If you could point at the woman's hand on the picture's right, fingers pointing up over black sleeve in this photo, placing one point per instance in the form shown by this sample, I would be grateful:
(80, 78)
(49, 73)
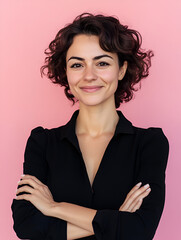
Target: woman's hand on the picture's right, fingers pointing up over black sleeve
(135, 198)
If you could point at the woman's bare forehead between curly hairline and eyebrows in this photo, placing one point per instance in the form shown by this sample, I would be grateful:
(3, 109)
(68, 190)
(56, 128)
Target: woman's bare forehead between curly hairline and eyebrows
(86, 46)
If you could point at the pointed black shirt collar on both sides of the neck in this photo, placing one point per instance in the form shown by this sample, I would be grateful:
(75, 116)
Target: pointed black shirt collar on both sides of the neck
(123, 126)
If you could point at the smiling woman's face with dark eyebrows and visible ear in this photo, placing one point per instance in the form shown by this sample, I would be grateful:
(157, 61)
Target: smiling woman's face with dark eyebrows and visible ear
(92, 73)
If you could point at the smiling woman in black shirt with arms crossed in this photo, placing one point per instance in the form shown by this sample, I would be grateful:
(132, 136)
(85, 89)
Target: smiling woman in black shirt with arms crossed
(98, 176)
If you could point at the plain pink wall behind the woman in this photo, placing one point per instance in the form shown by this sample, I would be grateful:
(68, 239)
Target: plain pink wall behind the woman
(27, 100)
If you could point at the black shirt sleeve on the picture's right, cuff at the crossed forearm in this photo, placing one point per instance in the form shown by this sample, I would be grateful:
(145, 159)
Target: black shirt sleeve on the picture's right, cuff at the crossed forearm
(140, 225)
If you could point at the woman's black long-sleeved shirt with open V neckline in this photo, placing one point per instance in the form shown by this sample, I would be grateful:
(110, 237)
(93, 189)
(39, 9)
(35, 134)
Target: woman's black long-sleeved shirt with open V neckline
(133, 155)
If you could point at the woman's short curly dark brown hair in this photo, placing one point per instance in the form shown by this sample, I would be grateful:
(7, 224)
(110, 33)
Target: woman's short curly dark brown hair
(113, 37)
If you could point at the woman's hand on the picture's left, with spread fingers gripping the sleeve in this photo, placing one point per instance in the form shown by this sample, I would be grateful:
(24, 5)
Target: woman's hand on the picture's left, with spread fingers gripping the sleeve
(38, 194)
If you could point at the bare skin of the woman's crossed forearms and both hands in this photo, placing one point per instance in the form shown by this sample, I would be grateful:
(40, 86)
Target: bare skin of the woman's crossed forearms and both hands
(79, 219)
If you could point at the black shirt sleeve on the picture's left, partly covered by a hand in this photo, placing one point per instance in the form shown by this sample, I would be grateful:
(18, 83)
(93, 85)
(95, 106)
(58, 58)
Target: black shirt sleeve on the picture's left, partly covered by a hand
(29, 222)
